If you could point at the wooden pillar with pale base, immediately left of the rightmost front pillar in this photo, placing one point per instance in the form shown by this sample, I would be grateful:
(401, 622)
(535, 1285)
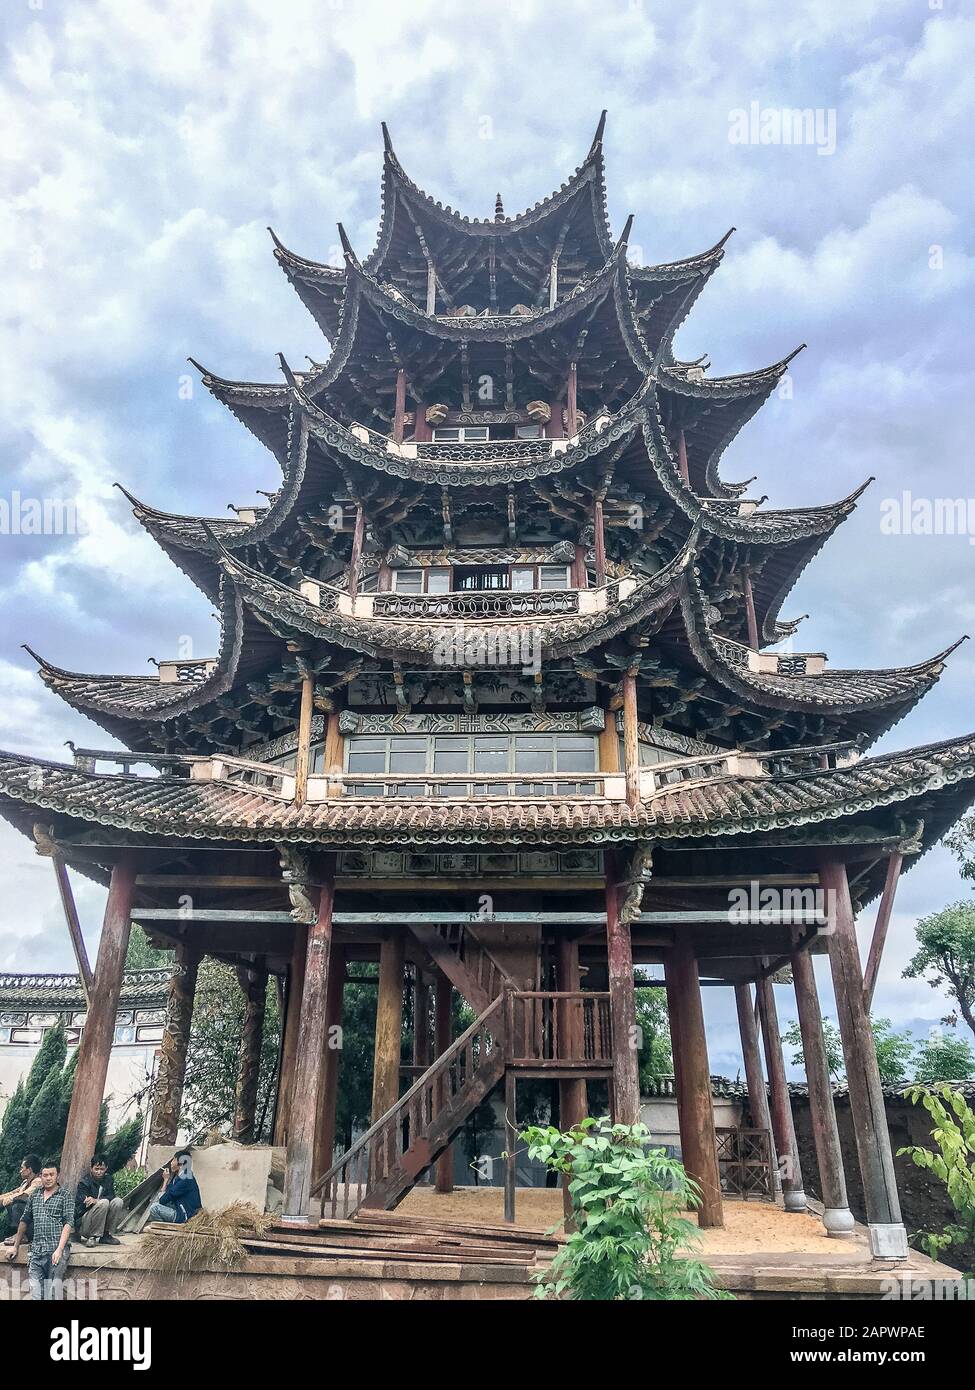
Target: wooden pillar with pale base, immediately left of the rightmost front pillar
(838, 1218)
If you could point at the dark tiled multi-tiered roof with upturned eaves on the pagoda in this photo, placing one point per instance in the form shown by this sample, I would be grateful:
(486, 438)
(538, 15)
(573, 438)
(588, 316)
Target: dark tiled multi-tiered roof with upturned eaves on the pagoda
(684, 584)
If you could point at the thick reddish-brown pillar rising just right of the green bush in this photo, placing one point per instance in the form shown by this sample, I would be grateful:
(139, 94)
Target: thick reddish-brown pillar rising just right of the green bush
(693, 1082)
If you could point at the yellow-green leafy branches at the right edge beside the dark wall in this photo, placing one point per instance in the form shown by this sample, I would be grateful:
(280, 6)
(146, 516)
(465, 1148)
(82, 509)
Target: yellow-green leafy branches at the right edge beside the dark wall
(953, 1163)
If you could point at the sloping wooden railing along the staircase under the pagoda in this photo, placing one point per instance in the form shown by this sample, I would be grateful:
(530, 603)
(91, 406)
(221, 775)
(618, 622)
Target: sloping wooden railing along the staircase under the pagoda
(389, 1159)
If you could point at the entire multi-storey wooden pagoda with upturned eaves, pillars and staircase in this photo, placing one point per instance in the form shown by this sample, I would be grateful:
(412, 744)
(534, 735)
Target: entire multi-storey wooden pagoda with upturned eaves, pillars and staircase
(503, 700)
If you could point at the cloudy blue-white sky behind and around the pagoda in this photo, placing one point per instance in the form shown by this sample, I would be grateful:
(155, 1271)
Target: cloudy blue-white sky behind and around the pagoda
(151, 142)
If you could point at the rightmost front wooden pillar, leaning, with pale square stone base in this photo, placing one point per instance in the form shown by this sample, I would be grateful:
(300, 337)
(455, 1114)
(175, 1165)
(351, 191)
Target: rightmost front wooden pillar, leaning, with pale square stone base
(870, 1120)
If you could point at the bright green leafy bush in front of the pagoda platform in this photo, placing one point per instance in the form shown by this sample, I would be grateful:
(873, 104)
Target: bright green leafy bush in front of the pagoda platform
(631, 1239)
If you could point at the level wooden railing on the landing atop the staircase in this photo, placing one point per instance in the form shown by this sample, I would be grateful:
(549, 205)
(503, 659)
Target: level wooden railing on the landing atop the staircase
(556, 1031)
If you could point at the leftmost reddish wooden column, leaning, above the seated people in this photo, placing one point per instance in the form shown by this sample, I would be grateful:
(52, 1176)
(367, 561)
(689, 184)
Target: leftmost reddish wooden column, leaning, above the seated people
(99, 1031)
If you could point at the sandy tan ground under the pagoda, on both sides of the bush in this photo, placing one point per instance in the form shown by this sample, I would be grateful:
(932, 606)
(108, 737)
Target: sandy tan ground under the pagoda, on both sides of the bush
(750, 1228)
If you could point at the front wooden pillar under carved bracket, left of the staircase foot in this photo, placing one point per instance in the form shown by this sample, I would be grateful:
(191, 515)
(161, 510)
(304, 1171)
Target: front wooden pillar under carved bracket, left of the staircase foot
(308, 1065)
